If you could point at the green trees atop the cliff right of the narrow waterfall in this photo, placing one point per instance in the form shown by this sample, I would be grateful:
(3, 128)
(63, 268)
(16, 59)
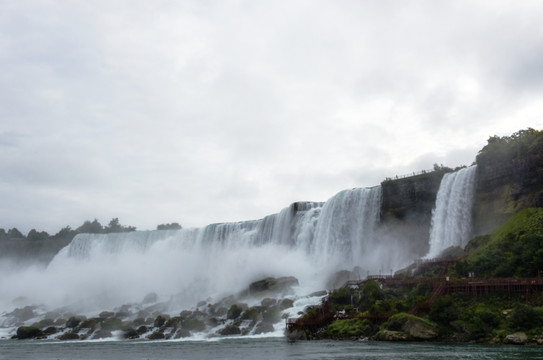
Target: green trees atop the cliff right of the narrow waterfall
(505, 148)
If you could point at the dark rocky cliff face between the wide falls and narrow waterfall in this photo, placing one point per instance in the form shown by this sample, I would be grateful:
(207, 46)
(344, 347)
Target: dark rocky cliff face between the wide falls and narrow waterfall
(406, 208)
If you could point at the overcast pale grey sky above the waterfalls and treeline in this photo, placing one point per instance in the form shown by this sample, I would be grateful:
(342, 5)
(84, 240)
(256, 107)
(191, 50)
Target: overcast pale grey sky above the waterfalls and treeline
(211, 111)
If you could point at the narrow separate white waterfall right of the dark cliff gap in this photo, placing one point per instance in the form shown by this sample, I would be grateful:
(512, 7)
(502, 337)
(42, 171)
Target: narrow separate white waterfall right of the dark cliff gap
(451, 217)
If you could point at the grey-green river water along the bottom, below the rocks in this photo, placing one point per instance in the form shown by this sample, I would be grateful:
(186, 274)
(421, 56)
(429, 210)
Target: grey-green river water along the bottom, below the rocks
(260, 348)
